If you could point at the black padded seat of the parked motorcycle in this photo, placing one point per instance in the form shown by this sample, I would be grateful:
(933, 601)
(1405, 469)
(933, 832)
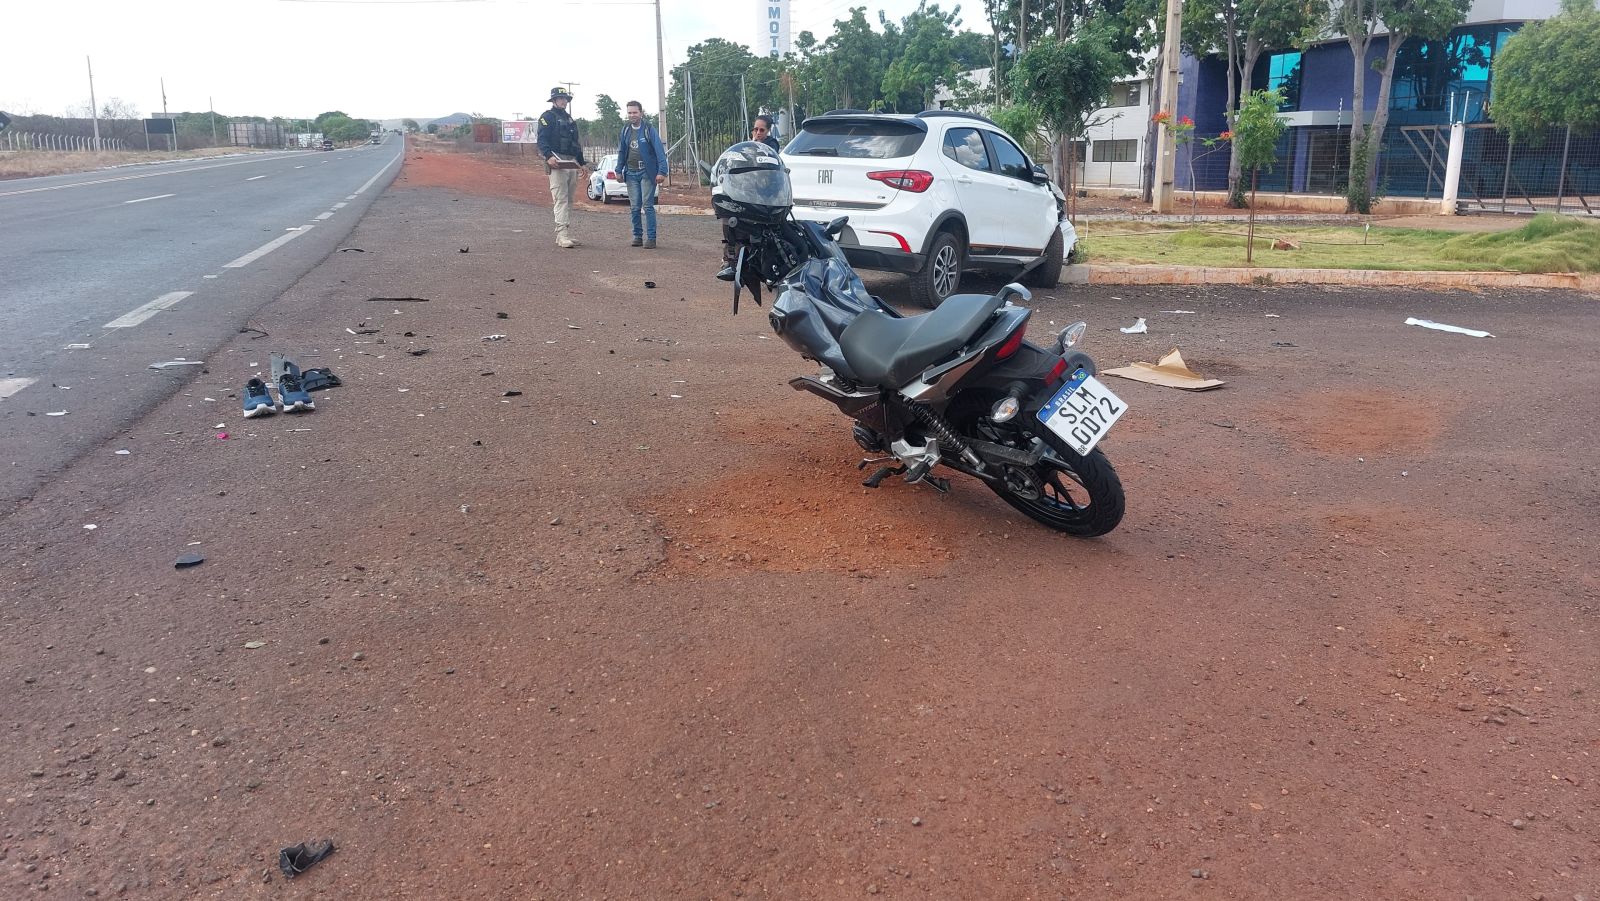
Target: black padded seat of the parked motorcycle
(890, 353)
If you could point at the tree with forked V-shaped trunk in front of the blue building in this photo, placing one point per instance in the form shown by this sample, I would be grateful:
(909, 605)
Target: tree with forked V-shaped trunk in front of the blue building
(1361, 22)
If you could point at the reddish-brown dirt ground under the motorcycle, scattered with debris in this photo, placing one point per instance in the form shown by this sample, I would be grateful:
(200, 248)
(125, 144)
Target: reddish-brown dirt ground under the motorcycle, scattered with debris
(641, 633)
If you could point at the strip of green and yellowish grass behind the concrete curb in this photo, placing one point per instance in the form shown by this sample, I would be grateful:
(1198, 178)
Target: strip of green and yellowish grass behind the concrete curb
(1546, 244)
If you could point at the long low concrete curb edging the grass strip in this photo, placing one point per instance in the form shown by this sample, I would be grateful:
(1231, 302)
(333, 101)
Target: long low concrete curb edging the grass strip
(1130, 274)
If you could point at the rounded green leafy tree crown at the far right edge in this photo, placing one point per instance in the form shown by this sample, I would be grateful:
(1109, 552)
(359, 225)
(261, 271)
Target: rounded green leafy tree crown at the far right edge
(1546, 74)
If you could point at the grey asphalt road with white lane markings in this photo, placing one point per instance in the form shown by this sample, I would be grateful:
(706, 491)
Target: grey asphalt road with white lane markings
(110, 273)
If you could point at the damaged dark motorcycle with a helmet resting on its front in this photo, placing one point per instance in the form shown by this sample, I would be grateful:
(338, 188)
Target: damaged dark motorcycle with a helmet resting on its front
(958, 388)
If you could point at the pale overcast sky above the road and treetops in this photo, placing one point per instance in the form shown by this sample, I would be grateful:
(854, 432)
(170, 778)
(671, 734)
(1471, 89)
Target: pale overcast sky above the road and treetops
(369, 58)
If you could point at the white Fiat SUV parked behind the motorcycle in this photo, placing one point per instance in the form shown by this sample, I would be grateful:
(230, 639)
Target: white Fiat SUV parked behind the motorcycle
(932, 196)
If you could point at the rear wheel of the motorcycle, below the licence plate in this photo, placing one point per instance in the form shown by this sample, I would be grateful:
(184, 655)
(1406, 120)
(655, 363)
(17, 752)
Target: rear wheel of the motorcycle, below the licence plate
(1082, 499)
